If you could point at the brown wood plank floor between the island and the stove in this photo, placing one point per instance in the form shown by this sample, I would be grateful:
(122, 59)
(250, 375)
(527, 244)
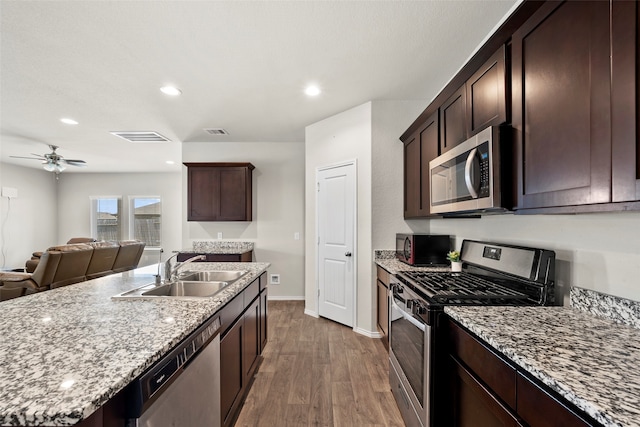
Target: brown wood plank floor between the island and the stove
(318, 373)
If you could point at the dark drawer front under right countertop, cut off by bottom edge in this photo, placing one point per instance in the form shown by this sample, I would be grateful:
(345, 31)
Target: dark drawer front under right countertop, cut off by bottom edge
(540, 409)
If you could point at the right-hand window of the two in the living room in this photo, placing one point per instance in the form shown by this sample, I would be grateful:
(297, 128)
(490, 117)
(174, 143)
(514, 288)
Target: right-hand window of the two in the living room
(145, 215)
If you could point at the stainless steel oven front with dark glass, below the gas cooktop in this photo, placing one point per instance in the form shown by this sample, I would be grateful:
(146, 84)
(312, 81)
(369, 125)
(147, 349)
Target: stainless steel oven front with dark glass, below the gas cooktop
(409, 341)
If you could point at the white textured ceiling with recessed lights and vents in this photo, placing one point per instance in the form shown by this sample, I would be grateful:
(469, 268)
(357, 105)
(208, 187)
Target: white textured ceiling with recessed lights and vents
(241, 66)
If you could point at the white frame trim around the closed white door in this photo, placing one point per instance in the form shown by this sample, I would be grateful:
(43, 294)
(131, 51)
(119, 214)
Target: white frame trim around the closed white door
(354, 164)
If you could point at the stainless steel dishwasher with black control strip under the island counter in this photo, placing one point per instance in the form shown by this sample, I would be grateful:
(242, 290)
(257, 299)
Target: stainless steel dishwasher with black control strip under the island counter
(183, 388)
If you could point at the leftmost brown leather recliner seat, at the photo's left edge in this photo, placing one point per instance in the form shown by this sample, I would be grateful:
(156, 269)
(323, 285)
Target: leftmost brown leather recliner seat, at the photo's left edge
(13, 285)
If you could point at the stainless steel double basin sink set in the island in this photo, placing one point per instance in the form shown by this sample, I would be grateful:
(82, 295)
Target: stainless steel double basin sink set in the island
(190, 284)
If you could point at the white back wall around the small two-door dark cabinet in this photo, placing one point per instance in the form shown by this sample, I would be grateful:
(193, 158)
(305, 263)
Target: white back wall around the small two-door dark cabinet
(278, 207)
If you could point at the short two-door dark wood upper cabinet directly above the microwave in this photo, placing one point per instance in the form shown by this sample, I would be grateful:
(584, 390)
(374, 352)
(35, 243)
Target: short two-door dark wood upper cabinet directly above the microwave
(479, 103)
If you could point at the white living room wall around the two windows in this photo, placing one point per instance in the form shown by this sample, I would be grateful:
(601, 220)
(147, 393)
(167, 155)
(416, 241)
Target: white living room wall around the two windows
(74, 205)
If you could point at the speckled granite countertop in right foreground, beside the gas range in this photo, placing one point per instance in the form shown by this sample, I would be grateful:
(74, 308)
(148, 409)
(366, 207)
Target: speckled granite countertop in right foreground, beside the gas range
(591, 361)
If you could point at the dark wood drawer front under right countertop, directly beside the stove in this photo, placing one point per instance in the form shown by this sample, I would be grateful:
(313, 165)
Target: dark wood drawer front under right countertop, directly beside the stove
(491, 369)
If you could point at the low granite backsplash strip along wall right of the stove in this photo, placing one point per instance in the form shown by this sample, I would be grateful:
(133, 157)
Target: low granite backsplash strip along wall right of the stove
(620, 310)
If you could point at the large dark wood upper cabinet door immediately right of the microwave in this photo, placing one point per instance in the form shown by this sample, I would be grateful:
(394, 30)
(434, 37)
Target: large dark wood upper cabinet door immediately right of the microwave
(561, 105)
